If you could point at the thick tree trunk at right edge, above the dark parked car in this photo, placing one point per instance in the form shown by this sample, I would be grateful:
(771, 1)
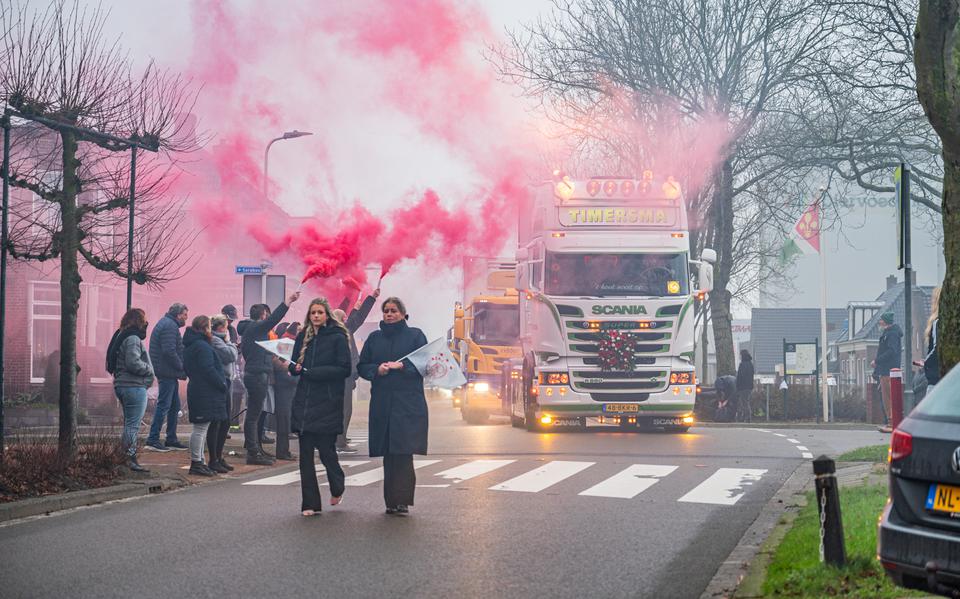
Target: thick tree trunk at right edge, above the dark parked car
(937, 60)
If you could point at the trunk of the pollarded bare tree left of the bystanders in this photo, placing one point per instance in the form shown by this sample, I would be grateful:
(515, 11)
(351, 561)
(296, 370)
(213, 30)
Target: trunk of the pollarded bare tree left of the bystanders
(69, 300)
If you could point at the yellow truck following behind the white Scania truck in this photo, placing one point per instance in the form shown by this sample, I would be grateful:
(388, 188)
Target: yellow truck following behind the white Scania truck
(485, 335)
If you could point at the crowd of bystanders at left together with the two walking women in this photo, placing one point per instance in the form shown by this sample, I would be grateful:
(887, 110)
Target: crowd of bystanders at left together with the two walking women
(312, 393)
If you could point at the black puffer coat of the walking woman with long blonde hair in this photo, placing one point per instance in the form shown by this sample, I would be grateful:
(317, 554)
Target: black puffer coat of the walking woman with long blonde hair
(318, 402)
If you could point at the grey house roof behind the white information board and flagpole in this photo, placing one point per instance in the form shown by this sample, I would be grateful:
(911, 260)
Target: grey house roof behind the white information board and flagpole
(770, 326)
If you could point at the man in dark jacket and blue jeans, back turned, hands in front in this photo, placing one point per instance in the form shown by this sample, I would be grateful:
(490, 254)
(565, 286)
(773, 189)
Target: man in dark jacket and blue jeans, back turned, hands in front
(166, 353)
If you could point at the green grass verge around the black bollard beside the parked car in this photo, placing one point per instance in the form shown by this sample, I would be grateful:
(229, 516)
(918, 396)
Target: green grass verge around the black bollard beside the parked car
(796, 571)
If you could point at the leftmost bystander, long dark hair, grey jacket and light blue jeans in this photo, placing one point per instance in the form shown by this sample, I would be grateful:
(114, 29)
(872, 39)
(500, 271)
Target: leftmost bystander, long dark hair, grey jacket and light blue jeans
(129, 363)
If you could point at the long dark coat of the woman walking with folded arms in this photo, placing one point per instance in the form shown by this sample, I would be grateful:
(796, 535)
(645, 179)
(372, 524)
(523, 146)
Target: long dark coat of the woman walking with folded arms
(398, 408)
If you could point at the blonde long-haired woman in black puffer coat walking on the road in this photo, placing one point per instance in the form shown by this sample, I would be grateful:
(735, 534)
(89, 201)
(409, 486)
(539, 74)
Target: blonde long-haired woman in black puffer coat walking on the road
(322, 361)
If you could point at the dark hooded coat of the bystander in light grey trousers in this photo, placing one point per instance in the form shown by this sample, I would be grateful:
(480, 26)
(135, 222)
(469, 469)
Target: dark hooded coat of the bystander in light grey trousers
(206, 383)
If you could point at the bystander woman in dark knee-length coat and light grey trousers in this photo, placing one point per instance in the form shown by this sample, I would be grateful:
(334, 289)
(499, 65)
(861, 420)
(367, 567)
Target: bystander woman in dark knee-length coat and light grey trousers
(206, 388)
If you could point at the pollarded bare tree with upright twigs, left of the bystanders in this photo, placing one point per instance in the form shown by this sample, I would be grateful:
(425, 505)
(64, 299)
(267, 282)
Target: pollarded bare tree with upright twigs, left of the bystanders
(76, 97)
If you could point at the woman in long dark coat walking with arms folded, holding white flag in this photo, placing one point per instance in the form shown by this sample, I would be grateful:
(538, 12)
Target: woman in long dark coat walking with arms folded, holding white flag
(398, 408)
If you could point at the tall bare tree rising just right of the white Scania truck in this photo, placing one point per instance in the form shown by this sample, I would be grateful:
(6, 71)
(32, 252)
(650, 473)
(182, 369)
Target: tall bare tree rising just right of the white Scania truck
(735, 60)
